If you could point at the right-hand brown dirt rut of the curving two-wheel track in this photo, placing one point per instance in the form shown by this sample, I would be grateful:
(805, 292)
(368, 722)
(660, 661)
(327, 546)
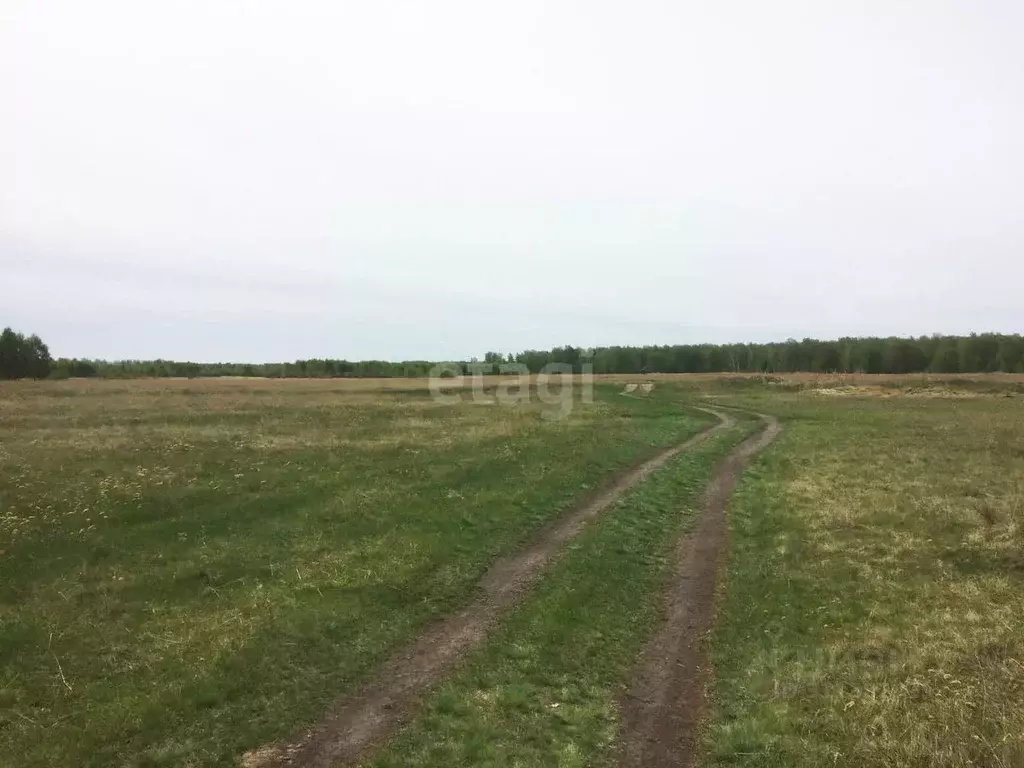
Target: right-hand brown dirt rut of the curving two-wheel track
(663, 711)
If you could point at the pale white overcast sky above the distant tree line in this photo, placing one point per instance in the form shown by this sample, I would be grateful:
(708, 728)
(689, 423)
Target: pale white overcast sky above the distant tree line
(262, 181)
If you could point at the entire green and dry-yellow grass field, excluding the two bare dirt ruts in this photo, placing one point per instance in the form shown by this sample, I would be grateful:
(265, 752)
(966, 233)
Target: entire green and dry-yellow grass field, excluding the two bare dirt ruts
(190, 570)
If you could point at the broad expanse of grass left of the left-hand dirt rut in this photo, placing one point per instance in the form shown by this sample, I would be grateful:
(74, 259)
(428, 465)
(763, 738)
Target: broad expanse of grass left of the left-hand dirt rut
(190, 570)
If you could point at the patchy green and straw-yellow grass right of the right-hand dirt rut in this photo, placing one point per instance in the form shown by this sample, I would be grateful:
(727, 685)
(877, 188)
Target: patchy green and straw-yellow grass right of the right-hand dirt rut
(875, 608)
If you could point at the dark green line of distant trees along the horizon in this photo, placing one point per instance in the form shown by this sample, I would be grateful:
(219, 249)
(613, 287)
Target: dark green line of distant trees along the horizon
(28, 357)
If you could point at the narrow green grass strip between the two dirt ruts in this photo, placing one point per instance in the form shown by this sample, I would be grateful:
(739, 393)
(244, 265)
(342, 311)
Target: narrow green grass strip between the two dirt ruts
(543, 690)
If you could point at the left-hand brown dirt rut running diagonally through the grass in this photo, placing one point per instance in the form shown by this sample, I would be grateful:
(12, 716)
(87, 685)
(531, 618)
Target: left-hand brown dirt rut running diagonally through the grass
(363, 720)
